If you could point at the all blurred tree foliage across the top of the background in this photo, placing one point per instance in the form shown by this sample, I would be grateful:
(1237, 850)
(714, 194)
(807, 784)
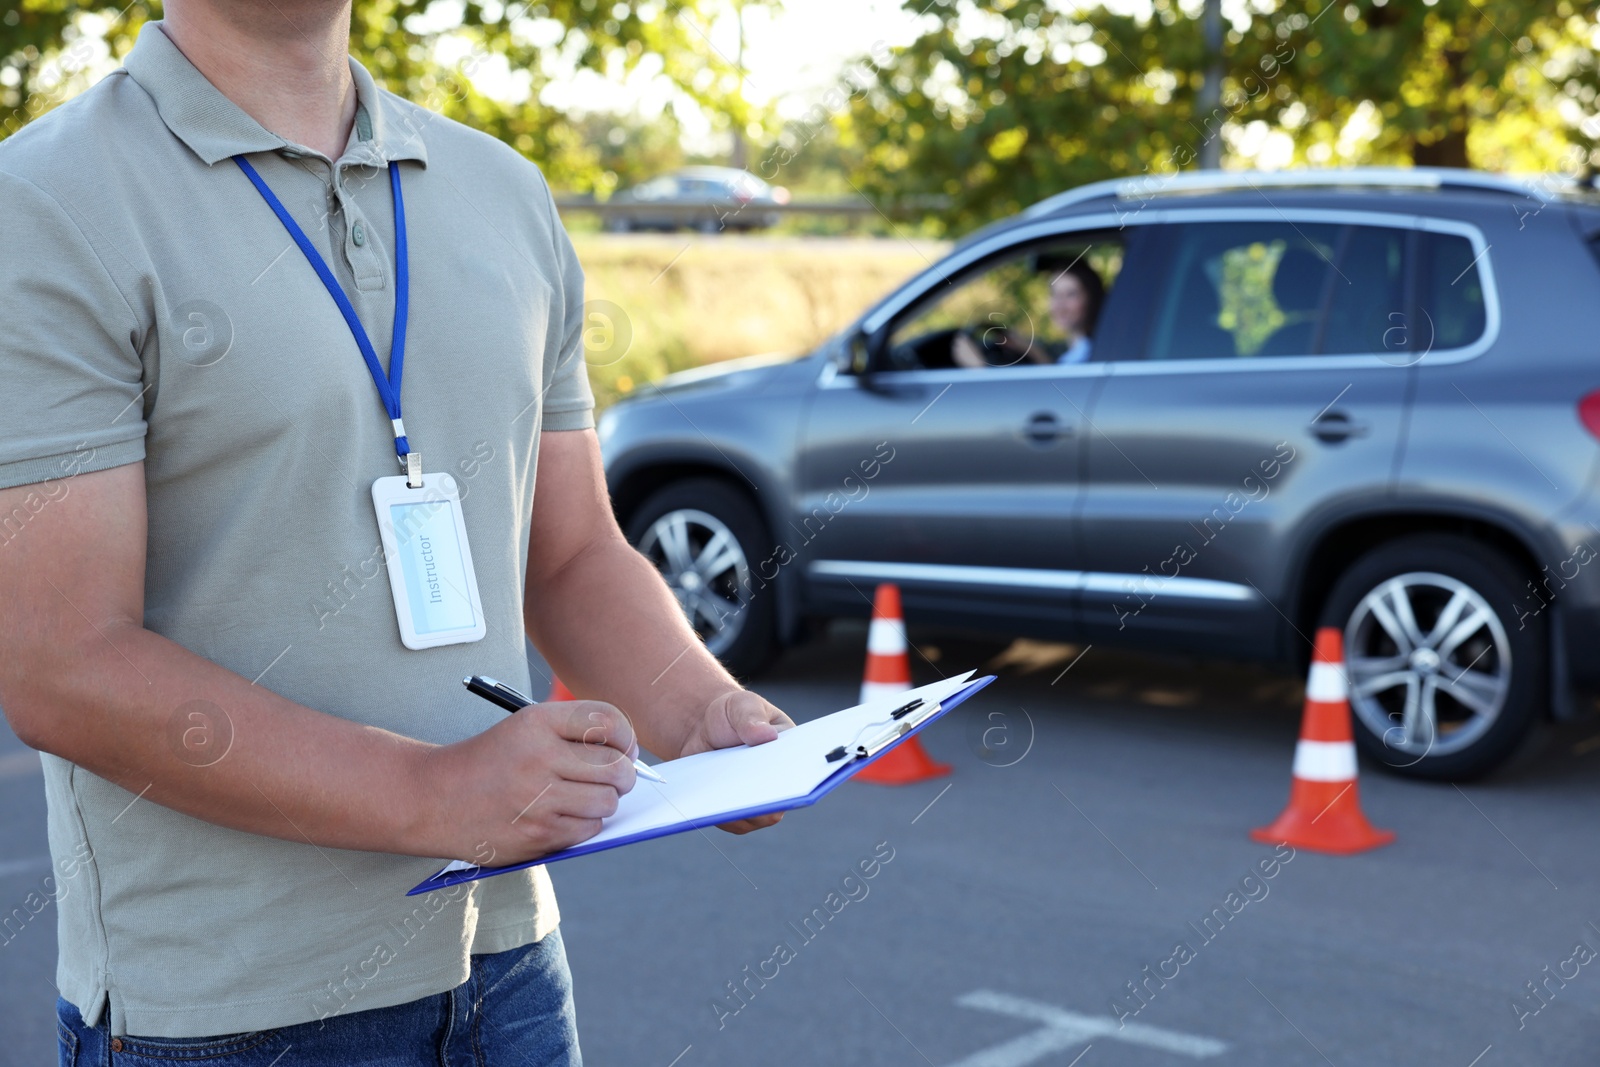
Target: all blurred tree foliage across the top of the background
(994, 106)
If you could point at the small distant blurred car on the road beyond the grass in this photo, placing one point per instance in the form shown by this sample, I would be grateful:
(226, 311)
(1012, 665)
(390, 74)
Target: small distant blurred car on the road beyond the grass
(705, 199)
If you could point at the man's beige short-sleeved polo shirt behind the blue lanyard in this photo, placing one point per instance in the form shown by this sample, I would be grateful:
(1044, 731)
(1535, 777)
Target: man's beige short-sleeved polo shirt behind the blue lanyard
(153, 308)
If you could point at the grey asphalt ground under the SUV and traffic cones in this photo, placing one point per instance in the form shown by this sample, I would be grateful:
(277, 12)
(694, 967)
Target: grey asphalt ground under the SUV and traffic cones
(1098, 829)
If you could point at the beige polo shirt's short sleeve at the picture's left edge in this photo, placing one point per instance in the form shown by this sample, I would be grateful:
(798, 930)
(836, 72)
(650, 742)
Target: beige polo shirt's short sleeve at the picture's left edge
(70, 361)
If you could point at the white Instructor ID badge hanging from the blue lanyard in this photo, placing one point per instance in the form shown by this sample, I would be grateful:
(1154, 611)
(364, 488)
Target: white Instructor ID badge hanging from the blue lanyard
(430, 562)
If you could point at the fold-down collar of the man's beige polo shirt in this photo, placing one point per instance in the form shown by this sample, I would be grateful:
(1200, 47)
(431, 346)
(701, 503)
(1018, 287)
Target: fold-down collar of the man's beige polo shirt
(217, 129)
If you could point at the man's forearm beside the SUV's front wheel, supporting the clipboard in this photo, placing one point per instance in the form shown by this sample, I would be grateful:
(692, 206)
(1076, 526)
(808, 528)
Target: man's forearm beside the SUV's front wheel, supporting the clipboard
(614, 633)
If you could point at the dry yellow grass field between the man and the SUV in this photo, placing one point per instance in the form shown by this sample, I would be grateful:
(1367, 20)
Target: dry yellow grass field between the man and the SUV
(660, 303)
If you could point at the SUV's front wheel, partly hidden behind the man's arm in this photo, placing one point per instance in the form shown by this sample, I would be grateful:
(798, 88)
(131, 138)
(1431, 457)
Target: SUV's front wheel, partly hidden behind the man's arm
(706, 538)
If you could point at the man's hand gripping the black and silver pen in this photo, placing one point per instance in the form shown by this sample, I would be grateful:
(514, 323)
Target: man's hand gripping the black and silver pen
(532, 785)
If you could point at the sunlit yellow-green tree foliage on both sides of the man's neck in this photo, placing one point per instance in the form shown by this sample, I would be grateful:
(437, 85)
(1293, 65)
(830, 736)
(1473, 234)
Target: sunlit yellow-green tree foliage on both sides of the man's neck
(46, 49)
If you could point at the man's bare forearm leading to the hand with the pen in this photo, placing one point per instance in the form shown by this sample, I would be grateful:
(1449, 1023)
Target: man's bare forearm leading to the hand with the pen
(182, 732)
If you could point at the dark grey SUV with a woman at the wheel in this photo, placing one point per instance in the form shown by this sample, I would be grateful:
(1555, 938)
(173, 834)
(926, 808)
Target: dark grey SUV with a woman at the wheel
(1359, 399)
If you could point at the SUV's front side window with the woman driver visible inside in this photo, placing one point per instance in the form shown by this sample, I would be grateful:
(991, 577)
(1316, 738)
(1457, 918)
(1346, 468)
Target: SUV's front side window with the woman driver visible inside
(1030, 306)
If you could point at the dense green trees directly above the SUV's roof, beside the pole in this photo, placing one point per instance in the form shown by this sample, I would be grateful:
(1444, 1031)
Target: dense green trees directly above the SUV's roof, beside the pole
(1002, 103)
